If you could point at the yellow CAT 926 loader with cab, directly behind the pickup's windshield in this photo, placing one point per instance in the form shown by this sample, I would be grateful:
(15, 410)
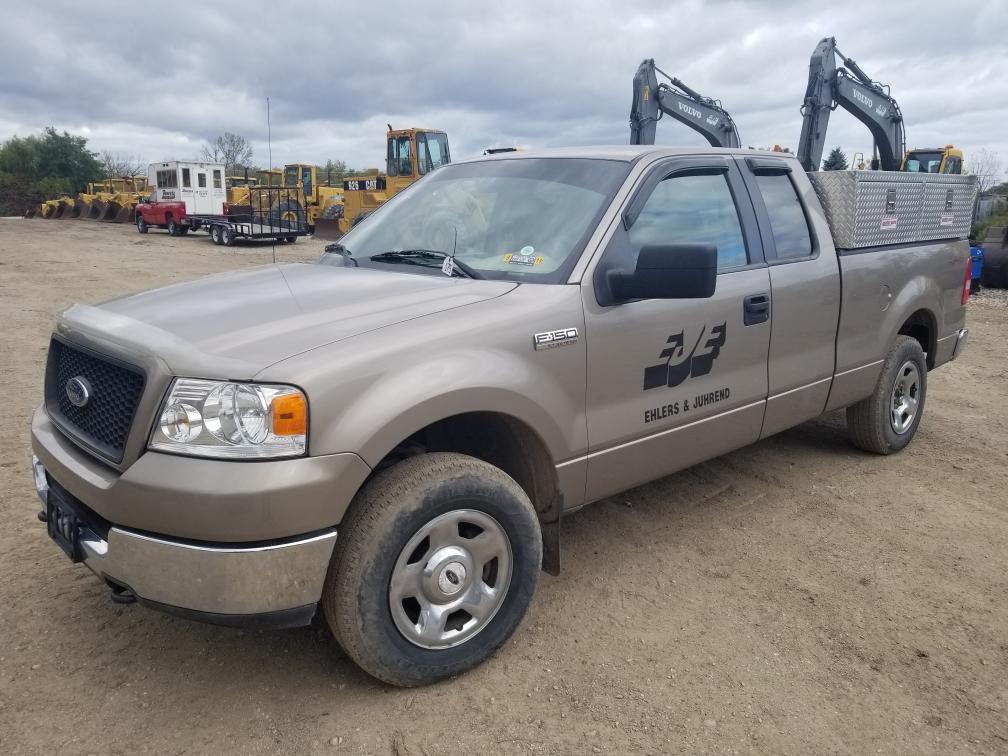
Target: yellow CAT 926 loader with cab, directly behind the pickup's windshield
(411, 155)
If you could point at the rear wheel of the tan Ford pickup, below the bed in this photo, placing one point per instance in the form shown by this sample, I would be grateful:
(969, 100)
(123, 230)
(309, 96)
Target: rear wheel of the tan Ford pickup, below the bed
(884, 423)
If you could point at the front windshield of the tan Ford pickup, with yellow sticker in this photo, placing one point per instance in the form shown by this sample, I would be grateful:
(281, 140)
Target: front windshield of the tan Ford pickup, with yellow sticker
(526, 220)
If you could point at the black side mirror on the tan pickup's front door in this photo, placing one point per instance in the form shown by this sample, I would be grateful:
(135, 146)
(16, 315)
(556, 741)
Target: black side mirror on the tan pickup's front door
(669, 272)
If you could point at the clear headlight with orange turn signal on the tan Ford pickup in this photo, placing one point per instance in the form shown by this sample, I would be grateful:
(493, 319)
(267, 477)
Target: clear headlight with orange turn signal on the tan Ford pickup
(232, 421)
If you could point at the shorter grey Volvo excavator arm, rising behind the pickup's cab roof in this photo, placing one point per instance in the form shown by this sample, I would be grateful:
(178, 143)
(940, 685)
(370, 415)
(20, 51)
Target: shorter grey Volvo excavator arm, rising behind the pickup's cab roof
(652, 100)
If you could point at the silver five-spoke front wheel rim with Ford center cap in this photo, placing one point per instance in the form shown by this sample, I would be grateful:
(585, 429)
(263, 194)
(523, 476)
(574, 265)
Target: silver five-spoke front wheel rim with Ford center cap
(451, 579)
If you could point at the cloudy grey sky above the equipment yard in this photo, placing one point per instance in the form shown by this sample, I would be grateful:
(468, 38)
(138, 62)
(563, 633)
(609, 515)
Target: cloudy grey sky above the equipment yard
(141, 79)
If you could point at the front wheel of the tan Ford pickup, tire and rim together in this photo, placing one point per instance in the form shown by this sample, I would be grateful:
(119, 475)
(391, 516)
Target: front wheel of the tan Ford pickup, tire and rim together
(383, 536)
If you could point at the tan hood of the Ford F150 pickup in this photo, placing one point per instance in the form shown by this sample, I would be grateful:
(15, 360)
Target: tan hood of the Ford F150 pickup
(234, 325)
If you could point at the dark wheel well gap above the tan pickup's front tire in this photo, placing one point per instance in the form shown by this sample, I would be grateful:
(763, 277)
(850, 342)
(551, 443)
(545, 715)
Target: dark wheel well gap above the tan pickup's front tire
(497, 439)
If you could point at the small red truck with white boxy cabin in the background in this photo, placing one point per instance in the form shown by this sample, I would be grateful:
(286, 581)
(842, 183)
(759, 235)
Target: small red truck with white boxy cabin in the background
(182, 190)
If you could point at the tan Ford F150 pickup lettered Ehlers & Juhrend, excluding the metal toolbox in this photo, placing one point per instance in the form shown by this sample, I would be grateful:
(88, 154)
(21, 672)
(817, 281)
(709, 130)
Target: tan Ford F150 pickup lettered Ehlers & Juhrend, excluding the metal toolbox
(392, 436)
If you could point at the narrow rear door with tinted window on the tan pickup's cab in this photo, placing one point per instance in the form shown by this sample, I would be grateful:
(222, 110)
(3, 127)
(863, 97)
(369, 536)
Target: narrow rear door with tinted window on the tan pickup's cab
(805, 281)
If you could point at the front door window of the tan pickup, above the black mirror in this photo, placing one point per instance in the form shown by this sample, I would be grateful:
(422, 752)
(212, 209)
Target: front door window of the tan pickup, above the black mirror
(696, 208)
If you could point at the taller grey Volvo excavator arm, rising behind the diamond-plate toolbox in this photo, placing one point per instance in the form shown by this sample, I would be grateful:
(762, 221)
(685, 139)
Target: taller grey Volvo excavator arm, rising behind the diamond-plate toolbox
(852, 89)
